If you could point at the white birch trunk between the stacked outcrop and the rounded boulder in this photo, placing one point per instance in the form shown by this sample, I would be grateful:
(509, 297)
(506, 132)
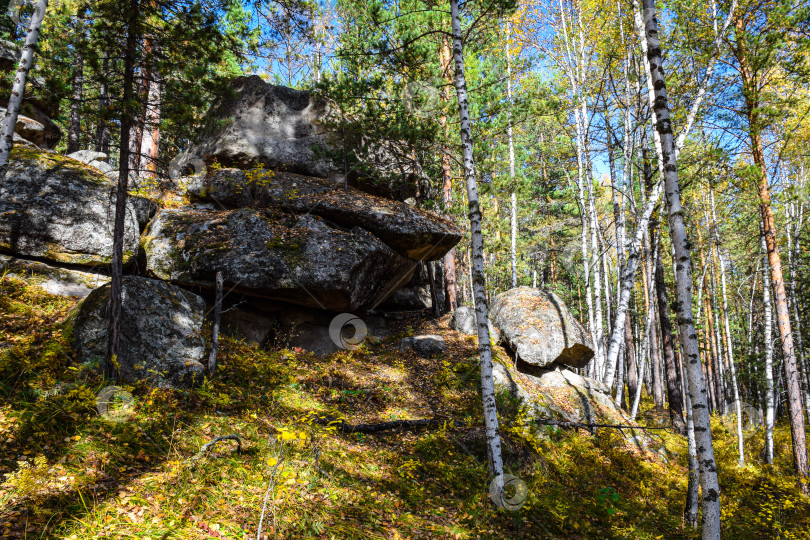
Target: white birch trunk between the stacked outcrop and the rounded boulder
(487, 384)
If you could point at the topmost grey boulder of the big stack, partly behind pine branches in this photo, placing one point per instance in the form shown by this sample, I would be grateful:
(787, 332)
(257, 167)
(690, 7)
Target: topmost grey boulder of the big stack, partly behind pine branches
(258, 124)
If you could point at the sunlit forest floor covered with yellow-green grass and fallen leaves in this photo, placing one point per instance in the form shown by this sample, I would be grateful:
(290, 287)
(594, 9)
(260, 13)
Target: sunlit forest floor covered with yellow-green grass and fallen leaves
(70, 472)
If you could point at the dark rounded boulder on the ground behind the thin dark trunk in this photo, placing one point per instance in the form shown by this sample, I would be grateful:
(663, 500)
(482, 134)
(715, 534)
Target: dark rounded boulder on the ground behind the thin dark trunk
(161, 332)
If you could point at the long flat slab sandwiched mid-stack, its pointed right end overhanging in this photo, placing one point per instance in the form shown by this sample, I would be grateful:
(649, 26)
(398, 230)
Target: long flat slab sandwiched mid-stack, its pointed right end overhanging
(412, 232)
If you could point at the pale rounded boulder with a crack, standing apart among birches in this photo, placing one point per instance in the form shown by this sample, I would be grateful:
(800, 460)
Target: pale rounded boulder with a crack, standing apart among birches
(537, 326)
